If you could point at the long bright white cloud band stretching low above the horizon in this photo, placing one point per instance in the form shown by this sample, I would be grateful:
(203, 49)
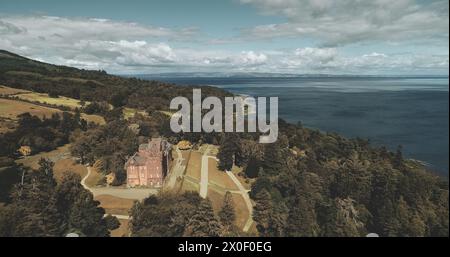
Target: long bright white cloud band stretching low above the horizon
(122, 47)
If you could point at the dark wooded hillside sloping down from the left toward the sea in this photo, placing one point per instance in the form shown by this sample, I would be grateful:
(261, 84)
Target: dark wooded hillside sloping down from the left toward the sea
(87, 85)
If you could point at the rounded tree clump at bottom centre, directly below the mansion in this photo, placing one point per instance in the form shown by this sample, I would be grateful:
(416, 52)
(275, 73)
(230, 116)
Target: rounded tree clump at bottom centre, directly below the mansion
(181, 215)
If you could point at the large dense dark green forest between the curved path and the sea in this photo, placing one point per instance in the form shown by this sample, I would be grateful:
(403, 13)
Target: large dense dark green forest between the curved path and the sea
(332, 186)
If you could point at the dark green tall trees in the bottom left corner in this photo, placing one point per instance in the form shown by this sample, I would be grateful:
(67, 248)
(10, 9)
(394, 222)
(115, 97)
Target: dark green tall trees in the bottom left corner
(39, 207)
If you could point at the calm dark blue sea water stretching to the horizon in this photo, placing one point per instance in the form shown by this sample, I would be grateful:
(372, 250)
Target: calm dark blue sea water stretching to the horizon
(412, 112)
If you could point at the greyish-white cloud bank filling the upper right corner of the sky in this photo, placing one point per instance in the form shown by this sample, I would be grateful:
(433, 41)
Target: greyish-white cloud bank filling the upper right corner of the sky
(350, 21)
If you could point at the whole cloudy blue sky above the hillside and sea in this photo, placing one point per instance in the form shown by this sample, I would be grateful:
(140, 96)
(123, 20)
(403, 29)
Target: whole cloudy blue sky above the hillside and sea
(385, 37)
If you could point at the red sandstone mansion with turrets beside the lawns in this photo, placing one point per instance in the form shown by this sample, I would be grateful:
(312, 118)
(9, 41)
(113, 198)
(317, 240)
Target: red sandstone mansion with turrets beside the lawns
(149, 165)
